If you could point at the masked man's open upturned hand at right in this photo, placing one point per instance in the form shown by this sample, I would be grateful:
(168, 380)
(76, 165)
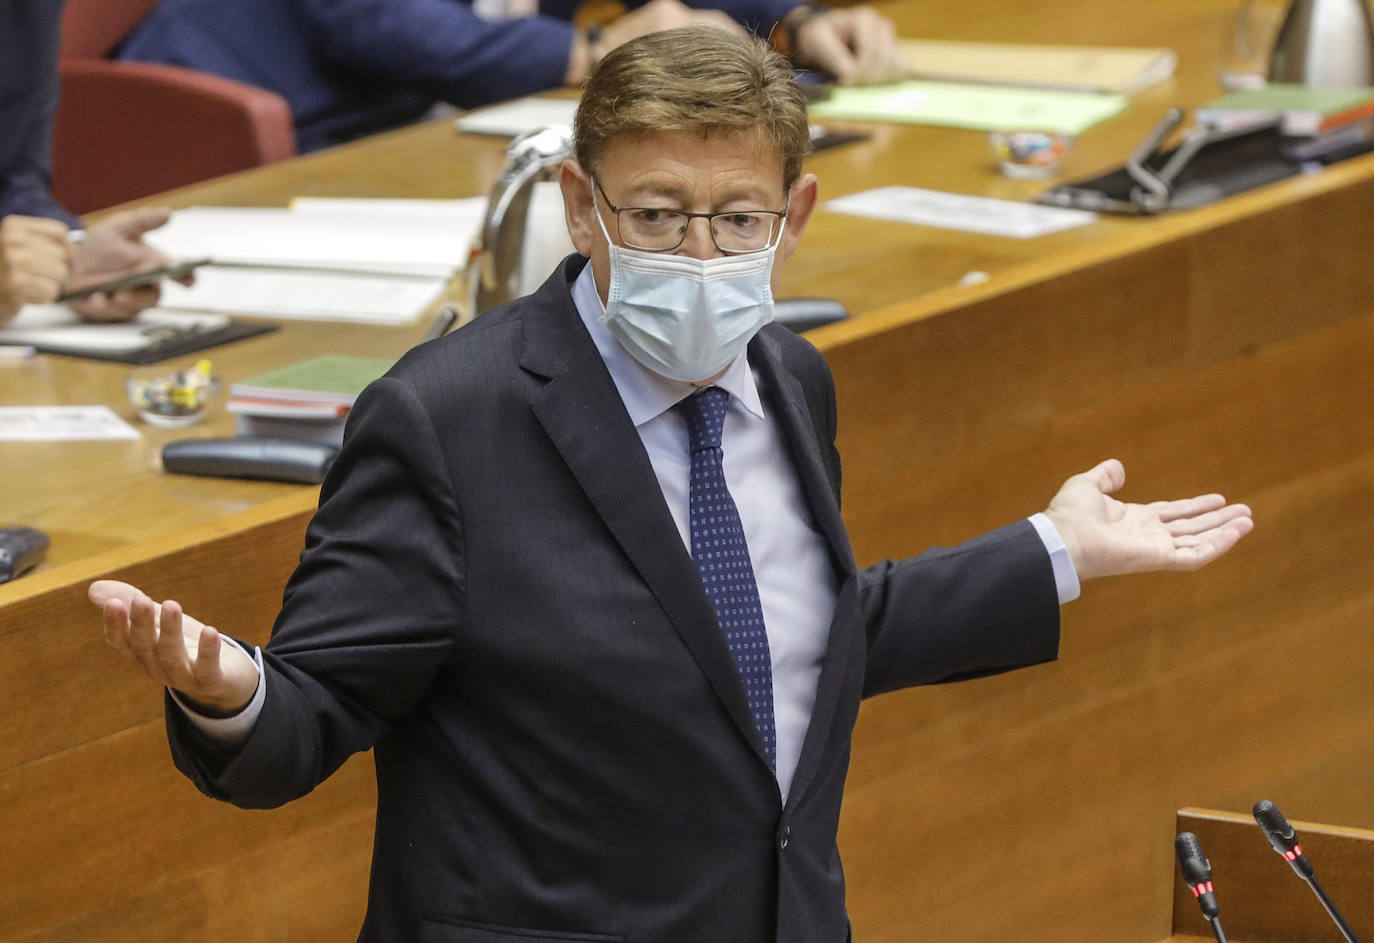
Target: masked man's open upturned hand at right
(1107, 537)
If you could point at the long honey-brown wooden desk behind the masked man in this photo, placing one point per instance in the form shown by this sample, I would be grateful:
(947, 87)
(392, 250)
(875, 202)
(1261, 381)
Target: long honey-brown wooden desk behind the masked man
(1225, 348)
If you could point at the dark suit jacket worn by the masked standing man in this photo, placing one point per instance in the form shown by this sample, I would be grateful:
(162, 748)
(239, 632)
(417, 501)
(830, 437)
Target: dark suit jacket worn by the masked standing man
(495, 599)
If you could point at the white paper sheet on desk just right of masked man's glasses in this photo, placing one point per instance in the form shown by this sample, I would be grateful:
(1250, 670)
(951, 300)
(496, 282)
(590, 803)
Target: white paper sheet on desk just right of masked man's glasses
(1002, 218)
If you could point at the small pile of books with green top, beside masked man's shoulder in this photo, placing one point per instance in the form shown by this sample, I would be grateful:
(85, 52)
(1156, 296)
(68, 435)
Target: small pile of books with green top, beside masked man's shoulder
(306, 401)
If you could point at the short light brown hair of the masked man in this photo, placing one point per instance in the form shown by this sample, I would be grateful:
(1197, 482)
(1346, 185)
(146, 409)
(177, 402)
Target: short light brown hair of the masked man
(696, 79)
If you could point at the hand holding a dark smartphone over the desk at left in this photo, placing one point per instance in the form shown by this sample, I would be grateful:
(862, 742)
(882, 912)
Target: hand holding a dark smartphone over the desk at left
(115, 248)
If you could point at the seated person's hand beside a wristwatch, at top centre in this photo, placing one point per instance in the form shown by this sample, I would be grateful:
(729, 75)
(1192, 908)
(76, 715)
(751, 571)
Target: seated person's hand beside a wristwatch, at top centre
(855, 45)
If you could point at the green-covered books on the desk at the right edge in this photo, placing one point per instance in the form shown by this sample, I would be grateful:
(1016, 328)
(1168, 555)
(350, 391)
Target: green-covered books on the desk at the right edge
(1321, 124)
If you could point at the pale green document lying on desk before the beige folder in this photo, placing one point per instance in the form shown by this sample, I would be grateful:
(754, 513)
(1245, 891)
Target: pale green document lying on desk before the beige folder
(980, 108)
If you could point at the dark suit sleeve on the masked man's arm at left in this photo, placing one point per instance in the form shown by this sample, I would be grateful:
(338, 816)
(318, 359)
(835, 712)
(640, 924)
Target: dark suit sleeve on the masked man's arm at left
(369, 617)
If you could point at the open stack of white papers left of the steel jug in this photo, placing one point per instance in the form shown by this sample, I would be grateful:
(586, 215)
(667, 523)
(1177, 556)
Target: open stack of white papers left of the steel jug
(369, 260)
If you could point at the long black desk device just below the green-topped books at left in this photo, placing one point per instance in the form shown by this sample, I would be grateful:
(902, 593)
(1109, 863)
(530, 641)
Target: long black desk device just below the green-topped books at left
(251, 457)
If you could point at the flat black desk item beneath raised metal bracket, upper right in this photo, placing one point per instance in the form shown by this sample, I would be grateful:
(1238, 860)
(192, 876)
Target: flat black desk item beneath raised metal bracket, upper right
(1229, 164)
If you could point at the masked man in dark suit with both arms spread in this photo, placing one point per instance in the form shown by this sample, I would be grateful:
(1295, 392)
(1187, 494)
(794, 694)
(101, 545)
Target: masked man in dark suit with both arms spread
(579, 575)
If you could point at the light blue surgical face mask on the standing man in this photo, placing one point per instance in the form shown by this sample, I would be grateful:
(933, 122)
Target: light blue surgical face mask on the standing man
(686, 318)
